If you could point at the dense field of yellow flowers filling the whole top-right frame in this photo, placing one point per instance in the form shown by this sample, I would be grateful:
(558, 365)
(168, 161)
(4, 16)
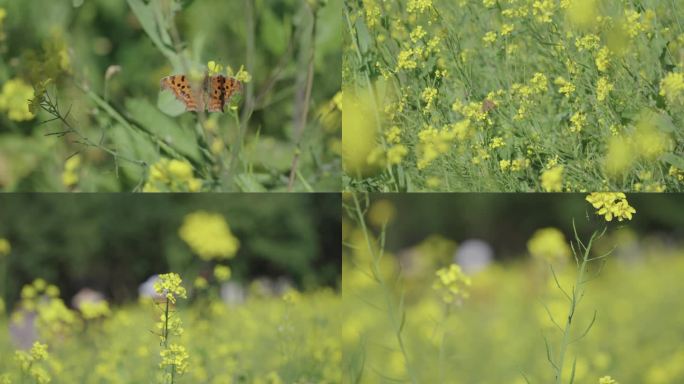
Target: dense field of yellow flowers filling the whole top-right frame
(513, 95)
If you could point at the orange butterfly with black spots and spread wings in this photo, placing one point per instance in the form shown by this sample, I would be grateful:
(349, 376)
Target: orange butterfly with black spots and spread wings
(214, 92)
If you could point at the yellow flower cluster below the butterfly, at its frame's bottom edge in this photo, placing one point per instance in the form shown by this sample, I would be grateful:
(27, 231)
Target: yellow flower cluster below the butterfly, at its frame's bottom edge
(172, 175)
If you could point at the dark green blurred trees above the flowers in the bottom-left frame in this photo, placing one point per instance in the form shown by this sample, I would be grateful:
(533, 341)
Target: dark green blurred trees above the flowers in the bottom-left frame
(113, 242)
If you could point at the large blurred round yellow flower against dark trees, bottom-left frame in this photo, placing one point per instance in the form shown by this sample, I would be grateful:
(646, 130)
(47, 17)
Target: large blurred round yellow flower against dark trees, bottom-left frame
(209, 235)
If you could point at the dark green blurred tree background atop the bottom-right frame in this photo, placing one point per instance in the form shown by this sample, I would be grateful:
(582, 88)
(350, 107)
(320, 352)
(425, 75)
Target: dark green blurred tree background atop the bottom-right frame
(507, 221)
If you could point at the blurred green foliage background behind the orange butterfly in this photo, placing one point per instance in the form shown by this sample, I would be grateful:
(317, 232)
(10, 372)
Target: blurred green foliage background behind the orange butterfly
(75, 44)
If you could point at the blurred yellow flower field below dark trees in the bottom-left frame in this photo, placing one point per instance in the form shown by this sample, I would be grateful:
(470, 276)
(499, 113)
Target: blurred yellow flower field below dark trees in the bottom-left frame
(289, 339)
